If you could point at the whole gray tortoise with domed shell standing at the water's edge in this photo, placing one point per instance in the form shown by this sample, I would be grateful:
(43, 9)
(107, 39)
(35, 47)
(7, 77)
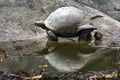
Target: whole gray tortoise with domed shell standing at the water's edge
(66, 22)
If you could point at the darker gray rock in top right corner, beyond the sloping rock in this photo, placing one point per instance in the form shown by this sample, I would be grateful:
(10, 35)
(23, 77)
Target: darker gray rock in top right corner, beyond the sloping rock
(110, 7)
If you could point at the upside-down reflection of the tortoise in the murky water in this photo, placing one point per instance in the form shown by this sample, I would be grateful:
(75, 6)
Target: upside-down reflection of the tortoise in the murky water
(67, 57)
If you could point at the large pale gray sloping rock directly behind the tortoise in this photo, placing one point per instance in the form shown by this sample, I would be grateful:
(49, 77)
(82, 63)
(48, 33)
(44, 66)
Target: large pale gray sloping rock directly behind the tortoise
(17, 18)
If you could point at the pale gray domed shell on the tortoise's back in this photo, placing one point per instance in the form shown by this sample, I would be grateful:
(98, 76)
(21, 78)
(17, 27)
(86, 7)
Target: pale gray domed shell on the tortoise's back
(64, 20)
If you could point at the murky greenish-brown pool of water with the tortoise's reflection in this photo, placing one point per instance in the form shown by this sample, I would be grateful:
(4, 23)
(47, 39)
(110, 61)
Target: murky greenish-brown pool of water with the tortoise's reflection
(60, 57)
